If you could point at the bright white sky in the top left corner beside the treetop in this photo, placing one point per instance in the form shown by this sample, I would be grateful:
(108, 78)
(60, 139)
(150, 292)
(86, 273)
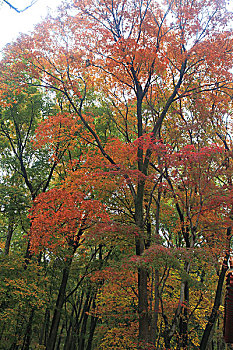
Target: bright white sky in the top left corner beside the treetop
(12, 23)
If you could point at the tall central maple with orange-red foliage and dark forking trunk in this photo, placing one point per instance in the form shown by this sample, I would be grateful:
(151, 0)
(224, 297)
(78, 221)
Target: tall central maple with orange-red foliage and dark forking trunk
(142, 91)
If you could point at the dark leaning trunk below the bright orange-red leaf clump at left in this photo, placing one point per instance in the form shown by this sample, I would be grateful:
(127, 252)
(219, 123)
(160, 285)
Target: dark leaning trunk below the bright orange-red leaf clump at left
(58, 308)
